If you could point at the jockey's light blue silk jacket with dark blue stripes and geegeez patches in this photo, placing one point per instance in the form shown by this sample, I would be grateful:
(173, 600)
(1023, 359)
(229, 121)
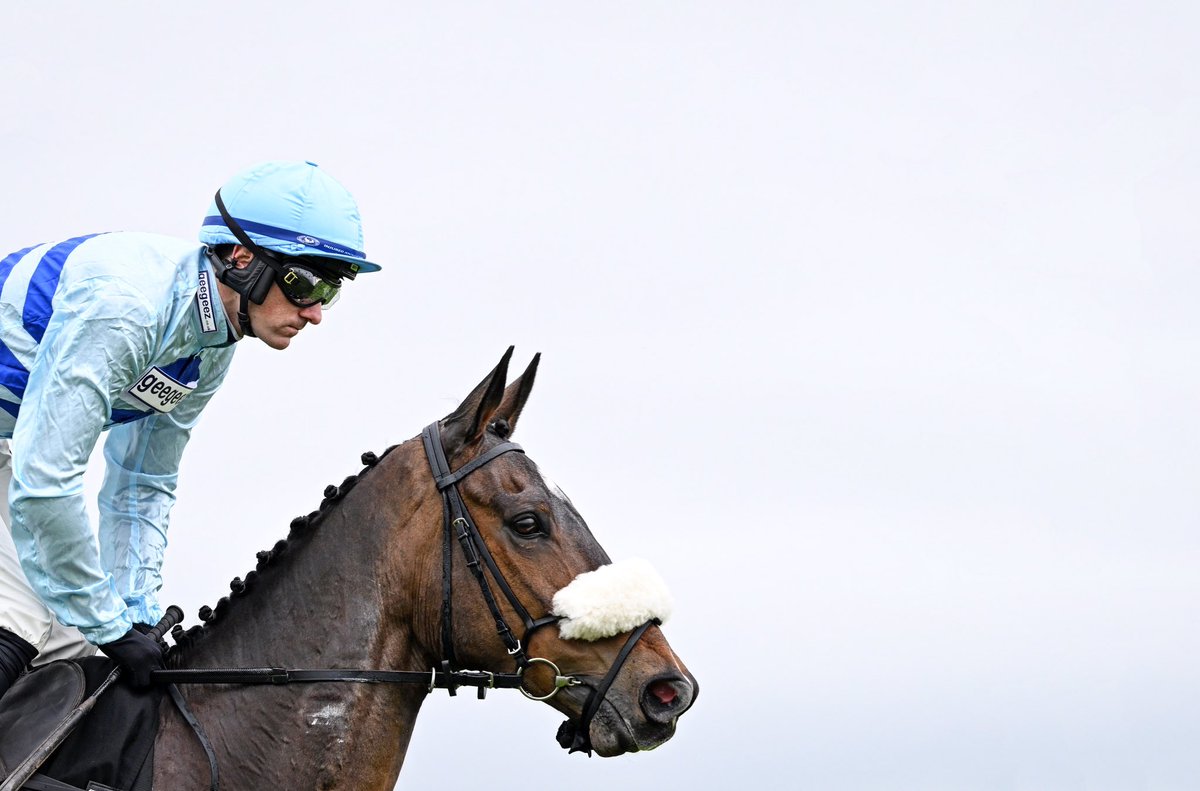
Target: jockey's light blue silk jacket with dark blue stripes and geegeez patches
(83, 325)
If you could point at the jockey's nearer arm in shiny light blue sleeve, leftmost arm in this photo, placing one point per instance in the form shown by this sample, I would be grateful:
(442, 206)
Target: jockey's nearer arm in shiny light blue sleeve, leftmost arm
(97, 339)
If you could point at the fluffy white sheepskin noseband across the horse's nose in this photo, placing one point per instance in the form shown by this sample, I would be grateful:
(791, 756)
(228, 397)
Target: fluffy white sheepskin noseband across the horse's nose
(611, 601)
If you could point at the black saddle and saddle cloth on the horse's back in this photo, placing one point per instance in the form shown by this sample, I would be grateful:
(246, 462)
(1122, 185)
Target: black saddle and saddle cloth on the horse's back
(112, 748)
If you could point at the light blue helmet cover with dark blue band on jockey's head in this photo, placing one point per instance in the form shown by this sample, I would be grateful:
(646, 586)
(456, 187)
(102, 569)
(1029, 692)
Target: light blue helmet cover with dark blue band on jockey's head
(292, 208)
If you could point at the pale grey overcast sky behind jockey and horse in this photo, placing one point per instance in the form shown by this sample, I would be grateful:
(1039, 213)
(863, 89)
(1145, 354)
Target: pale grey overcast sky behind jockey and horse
(873, 326)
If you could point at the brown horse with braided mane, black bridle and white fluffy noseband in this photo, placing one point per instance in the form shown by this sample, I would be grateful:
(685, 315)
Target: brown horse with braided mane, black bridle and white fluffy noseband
(422, 564)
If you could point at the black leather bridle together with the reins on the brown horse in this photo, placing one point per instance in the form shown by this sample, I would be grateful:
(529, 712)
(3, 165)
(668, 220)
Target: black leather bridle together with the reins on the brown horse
(458, 526)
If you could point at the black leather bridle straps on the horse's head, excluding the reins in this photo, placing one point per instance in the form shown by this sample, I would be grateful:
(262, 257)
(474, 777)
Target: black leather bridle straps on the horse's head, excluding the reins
(459, 524)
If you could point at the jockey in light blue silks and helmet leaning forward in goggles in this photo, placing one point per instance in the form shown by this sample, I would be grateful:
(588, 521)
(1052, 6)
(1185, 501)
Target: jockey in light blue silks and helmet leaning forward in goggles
(134, 333)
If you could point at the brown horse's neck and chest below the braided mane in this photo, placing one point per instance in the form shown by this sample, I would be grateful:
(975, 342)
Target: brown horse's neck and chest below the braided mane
(326, 603)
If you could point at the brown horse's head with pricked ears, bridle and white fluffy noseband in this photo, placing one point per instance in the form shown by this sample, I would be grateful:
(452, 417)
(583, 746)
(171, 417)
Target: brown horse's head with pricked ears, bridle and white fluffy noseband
(524, 585)
